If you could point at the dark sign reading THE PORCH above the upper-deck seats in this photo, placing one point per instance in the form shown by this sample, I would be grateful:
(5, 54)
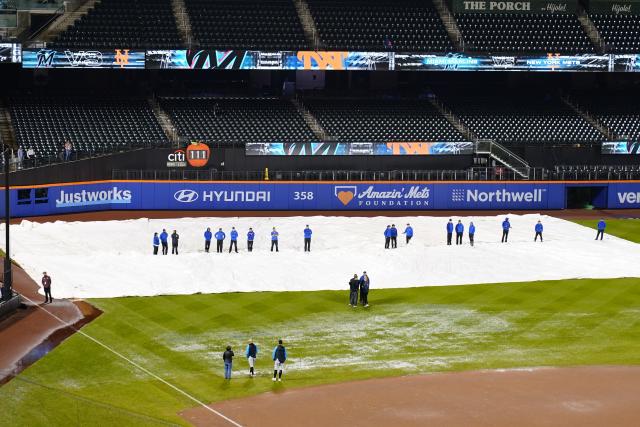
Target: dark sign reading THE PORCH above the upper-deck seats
(527, 6)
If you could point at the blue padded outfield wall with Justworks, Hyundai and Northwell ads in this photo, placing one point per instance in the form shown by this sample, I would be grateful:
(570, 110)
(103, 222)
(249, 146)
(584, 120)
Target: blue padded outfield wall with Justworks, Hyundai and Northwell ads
(59, 199)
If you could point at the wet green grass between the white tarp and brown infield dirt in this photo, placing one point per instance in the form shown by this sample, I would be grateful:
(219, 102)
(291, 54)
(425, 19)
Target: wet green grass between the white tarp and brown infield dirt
(405, 331)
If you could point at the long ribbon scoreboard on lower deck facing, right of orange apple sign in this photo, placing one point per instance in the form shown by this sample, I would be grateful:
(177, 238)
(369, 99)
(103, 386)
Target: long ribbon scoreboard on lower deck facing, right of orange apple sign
(358, 148)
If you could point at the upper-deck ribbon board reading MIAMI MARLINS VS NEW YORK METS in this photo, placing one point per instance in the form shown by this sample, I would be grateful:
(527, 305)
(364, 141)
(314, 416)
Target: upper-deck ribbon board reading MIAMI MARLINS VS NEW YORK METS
(463, 62)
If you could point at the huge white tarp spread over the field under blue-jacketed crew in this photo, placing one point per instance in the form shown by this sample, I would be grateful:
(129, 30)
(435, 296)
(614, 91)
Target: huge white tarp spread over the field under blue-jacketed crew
(113, 258)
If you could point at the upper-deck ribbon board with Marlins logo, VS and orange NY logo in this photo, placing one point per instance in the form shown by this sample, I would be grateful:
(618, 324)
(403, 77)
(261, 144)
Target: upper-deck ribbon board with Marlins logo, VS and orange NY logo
(116, 58)
